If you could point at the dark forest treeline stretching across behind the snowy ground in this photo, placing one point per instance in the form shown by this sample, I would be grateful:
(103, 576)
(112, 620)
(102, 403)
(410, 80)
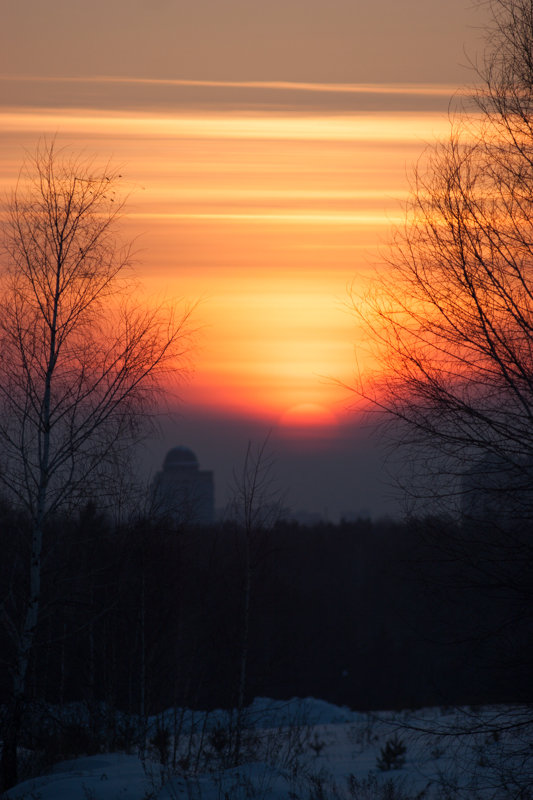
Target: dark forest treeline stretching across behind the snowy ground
(373, 615)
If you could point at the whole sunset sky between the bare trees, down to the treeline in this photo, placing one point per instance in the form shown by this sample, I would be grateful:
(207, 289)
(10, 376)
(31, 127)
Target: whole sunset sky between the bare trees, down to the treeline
(265, 149)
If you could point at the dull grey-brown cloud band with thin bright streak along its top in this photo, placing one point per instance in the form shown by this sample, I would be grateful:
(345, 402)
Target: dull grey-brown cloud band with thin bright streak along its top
(117, 92)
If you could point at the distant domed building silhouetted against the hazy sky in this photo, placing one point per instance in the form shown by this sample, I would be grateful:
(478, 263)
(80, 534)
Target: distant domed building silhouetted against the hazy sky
(182, 490)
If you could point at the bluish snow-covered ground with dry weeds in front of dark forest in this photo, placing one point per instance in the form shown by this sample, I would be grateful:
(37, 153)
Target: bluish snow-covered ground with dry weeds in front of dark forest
(307, 750)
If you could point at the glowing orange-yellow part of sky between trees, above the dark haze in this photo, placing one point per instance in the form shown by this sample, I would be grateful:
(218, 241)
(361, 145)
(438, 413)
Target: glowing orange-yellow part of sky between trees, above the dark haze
(265, 218)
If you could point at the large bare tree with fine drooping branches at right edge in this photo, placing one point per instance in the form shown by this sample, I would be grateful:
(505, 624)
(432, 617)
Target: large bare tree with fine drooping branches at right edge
(451, 321)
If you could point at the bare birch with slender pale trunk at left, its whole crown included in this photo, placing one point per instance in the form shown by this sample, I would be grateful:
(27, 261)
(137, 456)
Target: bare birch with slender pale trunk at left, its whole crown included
(81, 362)
